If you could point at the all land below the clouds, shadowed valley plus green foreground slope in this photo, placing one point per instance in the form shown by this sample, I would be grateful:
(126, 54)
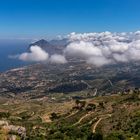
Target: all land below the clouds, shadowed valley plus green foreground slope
(70, 102)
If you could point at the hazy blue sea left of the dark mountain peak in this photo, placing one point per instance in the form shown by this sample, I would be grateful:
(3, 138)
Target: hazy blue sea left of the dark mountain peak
(12, 47)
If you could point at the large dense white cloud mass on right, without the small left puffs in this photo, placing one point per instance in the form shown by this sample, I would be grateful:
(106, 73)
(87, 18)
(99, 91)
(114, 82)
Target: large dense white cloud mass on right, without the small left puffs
(105, 48)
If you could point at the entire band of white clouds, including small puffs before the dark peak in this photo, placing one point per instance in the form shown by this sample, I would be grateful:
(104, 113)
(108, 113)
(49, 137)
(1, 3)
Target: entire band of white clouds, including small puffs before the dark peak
(96, 48)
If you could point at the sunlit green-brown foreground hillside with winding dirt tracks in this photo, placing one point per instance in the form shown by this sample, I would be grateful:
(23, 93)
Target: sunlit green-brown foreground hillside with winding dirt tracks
(115, 117)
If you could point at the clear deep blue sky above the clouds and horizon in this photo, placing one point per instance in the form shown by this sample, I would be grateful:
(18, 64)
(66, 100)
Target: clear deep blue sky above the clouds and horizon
(42, 18)
